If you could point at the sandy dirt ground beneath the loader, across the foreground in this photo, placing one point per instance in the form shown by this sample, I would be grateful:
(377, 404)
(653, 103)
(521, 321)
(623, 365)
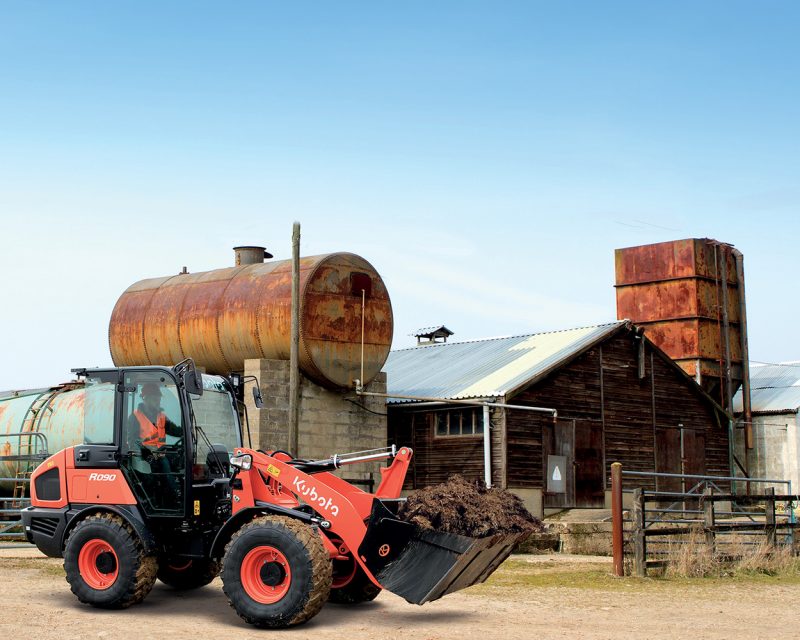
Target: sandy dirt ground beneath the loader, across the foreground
(534, 597)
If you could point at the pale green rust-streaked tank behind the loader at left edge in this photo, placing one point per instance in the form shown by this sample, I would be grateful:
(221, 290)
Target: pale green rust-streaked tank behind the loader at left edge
(58, 413)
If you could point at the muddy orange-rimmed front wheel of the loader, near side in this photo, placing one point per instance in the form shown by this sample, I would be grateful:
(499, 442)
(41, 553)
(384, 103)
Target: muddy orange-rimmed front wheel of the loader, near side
(276, 572)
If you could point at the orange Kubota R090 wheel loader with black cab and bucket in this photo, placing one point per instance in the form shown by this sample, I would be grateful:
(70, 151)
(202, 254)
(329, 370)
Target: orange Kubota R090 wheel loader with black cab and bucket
(135, 503)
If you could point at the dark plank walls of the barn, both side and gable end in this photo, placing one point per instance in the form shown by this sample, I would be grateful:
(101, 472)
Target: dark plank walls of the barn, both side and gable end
(626, 407)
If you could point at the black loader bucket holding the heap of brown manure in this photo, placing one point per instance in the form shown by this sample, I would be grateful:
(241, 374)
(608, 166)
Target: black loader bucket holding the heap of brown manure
(422, 565)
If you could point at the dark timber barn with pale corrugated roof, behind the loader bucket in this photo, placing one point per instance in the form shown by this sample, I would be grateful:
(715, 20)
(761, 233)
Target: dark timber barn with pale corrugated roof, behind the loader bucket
(580, 400)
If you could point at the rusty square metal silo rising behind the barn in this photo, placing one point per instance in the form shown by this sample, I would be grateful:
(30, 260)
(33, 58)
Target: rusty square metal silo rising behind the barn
(689, 297)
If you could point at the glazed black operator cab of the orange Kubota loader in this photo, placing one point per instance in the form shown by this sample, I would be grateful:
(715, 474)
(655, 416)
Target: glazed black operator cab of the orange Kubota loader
(169, 430)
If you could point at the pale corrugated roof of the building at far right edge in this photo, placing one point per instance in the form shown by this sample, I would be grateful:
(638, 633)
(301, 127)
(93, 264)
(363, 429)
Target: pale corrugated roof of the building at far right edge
(773, 388)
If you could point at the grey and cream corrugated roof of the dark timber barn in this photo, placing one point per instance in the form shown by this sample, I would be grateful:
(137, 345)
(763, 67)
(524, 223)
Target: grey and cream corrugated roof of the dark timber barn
(486, 368)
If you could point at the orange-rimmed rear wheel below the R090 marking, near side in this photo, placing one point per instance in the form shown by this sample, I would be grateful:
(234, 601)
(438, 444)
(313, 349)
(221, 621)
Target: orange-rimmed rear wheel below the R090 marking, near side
(106, 564)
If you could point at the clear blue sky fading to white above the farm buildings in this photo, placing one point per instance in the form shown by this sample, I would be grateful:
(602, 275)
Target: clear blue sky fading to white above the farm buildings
(487, 158)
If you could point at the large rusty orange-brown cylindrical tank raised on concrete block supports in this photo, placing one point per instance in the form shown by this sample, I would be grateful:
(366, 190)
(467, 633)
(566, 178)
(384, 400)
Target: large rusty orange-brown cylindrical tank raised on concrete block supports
(221, 318)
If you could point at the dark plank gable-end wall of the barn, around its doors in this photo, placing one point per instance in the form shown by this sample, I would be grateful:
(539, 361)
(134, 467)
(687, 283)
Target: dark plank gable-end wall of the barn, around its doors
(629, 411)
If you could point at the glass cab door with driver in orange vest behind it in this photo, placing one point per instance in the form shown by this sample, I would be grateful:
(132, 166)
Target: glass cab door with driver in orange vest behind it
(152, 437)
